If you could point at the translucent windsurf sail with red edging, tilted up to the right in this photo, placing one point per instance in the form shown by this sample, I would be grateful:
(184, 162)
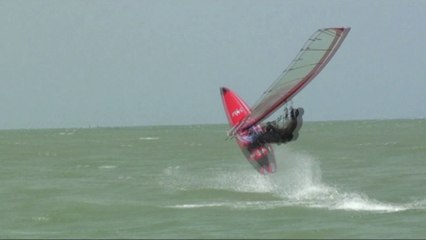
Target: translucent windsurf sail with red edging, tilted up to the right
(310, 60)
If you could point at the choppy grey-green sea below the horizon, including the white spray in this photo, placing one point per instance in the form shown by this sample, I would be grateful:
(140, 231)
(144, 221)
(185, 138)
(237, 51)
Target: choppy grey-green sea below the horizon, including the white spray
(340, 179)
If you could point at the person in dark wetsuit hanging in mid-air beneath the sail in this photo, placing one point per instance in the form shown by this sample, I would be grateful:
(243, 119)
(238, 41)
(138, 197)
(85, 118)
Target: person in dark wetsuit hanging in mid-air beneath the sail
(272, 132)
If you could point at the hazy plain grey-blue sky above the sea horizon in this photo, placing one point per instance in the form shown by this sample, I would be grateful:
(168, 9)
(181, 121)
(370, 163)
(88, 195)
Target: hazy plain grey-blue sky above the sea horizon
(131, 63)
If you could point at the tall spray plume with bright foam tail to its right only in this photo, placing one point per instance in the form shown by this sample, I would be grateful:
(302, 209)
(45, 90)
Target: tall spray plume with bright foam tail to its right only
(300, 182)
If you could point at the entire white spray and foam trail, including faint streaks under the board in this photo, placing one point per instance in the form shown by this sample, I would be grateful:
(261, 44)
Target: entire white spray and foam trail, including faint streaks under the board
(297, 183)
